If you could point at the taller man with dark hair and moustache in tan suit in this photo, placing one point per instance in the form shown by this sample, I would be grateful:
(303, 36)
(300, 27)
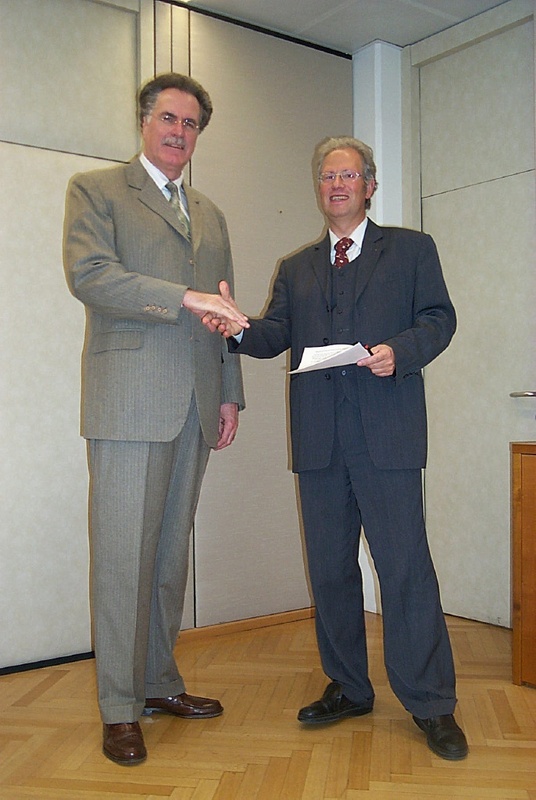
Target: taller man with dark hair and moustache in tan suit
(145, 254)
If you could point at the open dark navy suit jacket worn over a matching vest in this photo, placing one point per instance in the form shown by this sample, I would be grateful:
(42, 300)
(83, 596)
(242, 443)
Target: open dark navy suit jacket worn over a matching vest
(401, 300)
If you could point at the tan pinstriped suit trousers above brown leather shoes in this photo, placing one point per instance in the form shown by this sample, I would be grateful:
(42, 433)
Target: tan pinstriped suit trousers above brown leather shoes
(143, 497)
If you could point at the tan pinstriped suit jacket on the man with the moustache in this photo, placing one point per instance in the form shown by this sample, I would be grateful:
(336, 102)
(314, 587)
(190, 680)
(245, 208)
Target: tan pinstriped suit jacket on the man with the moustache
(144, 355)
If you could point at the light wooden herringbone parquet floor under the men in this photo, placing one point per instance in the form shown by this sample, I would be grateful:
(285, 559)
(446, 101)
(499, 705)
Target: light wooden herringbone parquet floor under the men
(50, 735)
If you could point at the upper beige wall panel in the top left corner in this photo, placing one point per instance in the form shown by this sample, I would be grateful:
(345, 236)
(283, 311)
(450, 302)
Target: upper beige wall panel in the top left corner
(69, 73)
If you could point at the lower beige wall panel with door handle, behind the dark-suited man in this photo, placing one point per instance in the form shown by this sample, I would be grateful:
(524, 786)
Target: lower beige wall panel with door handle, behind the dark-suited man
(488, 257)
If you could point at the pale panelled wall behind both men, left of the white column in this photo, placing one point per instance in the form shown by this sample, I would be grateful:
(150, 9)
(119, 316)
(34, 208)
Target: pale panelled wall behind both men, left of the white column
(69, 74)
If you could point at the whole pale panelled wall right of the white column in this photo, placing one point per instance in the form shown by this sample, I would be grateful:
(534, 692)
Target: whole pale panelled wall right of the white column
(476, 133)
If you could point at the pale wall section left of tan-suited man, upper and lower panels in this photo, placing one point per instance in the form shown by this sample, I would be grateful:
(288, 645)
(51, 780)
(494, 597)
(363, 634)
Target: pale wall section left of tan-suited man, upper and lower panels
(56, 120)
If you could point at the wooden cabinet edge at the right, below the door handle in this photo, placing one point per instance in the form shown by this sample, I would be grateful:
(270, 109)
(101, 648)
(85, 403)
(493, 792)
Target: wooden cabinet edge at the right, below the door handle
(523, 468)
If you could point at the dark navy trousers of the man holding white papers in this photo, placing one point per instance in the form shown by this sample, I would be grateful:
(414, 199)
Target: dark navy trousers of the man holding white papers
(336, 501)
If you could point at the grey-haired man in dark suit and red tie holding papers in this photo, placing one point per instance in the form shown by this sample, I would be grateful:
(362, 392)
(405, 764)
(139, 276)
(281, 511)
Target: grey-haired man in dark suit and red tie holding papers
(359, 441)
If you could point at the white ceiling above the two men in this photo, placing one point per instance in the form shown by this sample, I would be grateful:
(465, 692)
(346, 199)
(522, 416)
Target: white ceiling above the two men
(348, 25)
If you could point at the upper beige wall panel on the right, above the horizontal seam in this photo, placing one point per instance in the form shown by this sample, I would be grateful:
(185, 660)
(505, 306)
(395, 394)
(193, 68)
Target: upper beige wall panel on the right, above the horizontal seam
(470, 102)
